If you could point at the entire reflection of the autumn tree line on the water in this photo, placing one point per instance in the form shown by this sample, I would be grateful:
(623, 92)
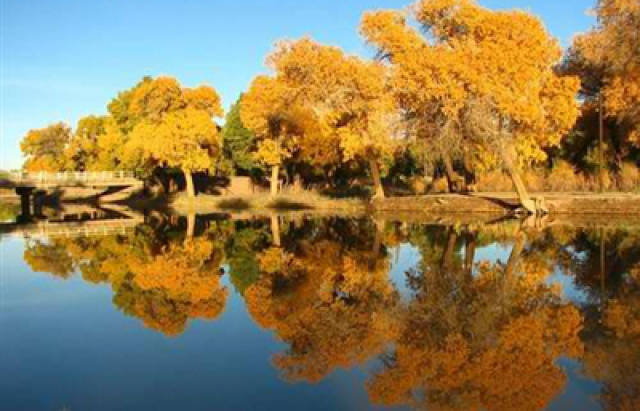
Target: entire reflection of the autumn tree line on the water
(474, 333)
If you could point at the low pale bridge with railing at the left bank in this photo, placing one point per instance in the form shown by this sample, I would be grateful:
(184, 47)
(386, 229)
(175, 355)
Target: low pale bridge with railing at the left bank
(31, 185)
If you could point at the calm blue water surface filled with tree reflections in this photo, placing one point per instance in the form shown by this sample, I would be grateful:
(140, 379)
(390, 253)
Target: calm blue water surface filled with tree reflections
(320, 313)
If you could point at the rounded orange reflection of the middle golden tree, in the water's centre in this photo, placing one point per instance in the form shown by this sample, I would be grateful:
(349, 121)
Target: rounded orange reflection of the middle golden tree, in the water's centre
(326, 293)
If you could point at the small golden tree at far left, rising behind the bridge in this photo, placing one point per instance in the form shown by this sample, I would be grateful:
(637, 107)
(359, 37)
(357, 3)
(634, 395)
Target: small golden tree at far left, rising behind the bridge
(44, 148)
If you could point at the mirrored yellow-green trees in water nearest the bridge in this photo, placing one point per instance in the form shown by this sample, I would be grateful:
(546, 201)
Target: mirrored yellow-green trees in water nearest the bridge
(156, 276)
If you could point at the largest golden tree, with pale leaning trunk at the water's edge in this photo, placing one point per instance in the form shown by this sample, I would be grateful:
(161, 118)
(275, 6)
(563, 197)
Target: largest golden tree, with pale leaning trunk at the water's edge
(479, 79)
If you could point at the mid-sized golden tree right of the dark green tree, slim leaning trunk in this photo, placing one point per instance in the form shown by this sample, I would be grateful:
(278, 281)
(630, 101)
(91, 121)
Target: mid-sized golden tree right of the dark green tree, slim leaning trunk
(333, 107)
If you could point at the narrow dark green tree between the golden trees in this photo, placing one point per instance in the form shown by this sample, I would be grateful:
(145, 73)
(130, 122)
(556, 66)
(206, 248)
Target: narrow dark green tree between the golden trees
(238, 141)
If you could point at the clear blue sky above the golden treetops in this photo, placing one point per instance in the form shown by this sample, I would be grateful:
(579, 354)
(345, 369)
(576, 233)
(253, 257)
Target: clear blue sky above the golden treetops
(61, 60)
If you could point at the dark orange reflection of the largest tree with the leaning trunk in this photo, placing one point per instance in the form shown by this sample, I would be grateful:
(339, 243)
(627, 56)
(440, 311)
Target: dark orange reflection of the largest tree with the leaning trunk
(481, 341)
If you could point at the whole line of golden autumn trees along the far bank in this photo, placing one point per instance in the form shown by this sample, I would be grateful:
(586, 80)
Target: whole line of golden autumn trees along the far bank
(454, 98)
